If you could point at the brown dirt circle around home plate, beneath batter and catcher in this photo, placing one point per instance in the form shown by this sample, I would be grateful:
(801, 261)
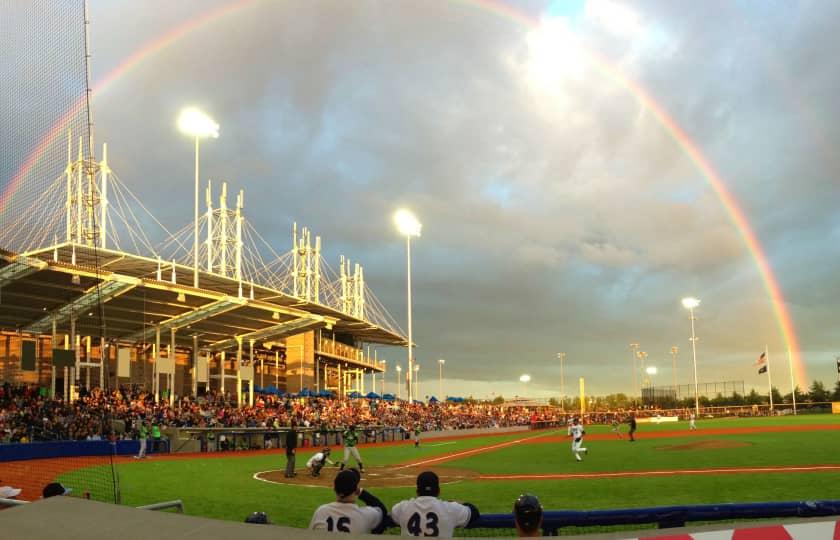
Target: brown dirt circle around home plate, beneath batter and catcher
(395, 476)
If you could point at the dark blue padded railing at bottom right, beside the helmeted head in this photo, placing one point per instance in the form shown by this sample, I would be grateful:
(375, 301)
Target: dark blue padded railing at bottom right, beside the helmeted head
(668, 516)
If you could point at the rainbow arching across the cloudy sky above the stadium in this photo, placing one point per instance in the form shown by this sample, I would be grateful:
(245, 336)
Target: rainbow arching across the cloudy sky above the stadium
(498, 9)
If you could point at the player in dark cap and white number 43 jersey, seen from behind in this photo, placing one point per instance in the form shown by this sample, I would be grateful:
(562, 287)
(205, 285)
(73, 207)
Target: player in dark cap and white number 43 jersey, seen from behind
(427, 515)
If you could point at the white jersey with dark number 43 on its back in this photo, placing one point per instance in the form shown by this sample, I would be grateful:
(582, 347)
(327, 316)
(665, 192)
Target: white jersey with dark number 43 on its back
(430, 516)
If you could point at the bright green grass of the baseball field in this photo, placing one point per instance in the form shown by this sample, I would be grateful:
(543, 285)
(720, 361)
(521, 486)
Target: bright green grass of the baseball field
(224, 487)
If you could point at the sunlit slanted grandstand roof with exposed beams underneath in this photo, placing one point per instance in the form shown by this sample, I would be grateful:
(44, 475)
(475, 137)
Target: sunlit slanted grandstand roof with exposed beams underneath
(68, 280)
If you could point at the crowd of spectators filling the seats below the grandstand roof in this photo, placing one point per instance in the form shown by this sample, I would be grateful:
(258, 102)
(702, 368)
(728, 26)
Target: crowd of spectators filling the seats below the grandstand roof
(27, 414)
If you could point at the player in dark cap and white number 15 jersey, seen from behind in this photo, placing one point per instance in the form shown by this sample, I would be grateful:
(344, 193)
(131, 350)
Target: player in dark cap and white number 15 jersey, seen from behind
(343, 515)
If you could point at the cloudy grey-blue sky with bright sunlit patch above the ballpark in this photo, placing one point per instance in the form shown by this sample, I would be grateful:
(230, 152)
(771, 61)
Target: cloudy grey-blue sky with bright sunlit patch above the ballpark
(558, 214)
